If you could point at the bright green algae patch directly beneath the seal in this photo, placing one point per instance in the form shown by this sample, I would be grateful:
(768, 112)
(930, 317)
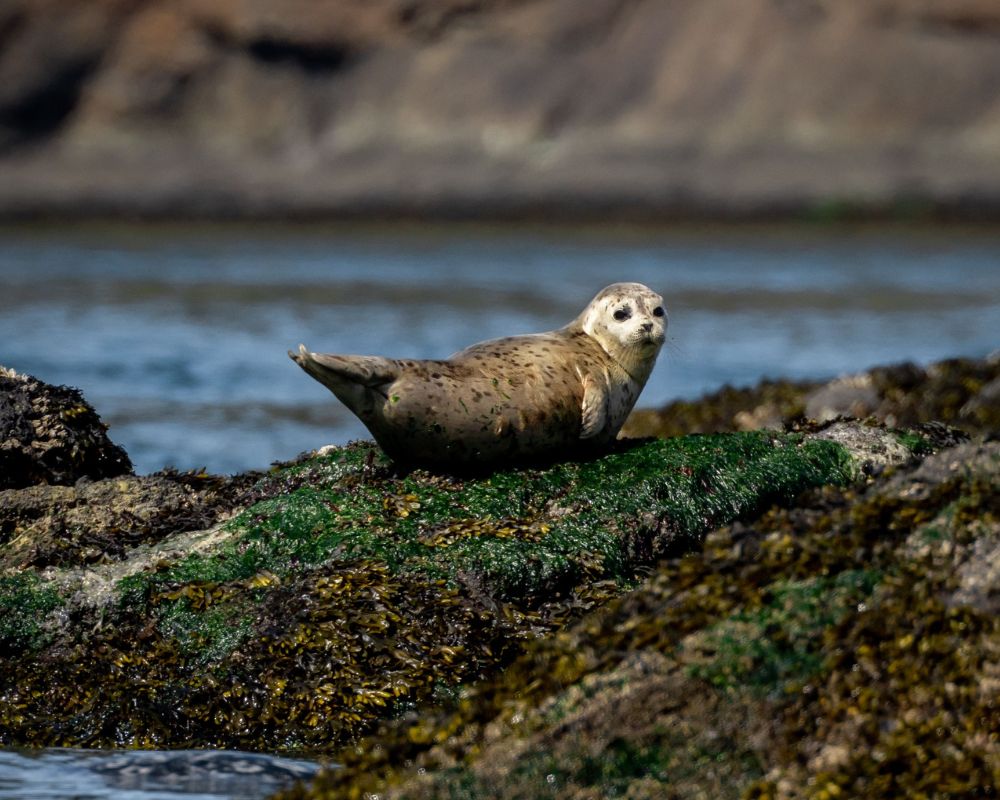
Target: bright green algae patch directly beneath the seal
(512, 528)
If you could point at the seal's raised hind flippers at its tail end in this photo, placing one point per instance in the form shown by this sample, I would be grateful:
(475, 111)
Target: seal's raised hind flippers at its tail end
(358, 381)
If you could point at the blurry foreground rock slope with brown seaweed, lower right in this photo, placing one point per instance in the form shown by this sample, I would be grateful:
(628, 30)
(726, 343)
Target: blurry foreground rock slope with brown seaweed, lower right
(845, 647)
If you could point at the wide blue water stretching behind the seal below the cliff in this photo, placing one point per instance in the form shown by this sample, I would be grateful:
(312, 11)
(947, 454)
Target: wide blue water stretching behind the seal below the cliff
(177, 334)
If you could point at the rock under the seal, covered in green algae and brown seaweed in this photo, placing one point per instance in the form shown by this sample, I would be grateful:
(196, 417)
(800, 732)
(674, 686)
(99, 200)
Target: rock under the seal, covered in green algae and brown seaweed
(345, 592)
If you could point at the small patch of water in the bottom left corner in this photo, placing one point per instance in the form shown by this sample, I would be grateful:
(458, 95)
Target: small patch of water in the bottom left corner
(71, 774)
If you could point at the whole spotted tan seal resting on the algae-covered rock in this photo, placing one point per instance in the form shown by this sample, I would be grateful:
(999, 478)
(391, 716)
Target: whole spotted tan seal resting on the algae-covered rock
(532, 397)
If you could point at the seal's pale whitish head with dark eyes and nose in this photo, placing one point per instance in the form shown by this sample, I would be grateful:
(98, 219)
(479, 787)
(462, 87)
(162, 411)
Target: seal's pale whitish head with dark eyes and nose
(629, 321)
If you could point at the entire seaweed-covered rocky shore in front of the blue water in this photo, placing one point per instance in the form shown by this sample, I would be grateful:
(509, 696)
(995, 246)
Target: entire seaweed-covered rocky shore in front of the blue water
(759, 613)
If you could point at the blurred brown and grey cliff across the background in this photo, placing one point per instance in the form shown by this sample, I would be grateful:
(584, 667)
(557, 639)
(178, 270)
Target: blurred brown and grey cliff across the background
(500, 107)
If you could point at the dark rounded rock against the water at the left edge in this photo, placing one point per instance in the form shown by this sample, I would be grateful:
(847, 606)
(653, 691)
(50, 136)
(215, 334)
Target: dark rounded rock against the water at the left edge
(51, 435)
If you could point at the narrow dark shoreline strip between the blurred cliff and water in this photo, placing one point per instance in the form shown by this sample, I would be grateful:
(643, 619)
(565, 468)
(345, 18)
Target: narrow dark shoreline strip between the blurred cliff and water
(976, 214)
